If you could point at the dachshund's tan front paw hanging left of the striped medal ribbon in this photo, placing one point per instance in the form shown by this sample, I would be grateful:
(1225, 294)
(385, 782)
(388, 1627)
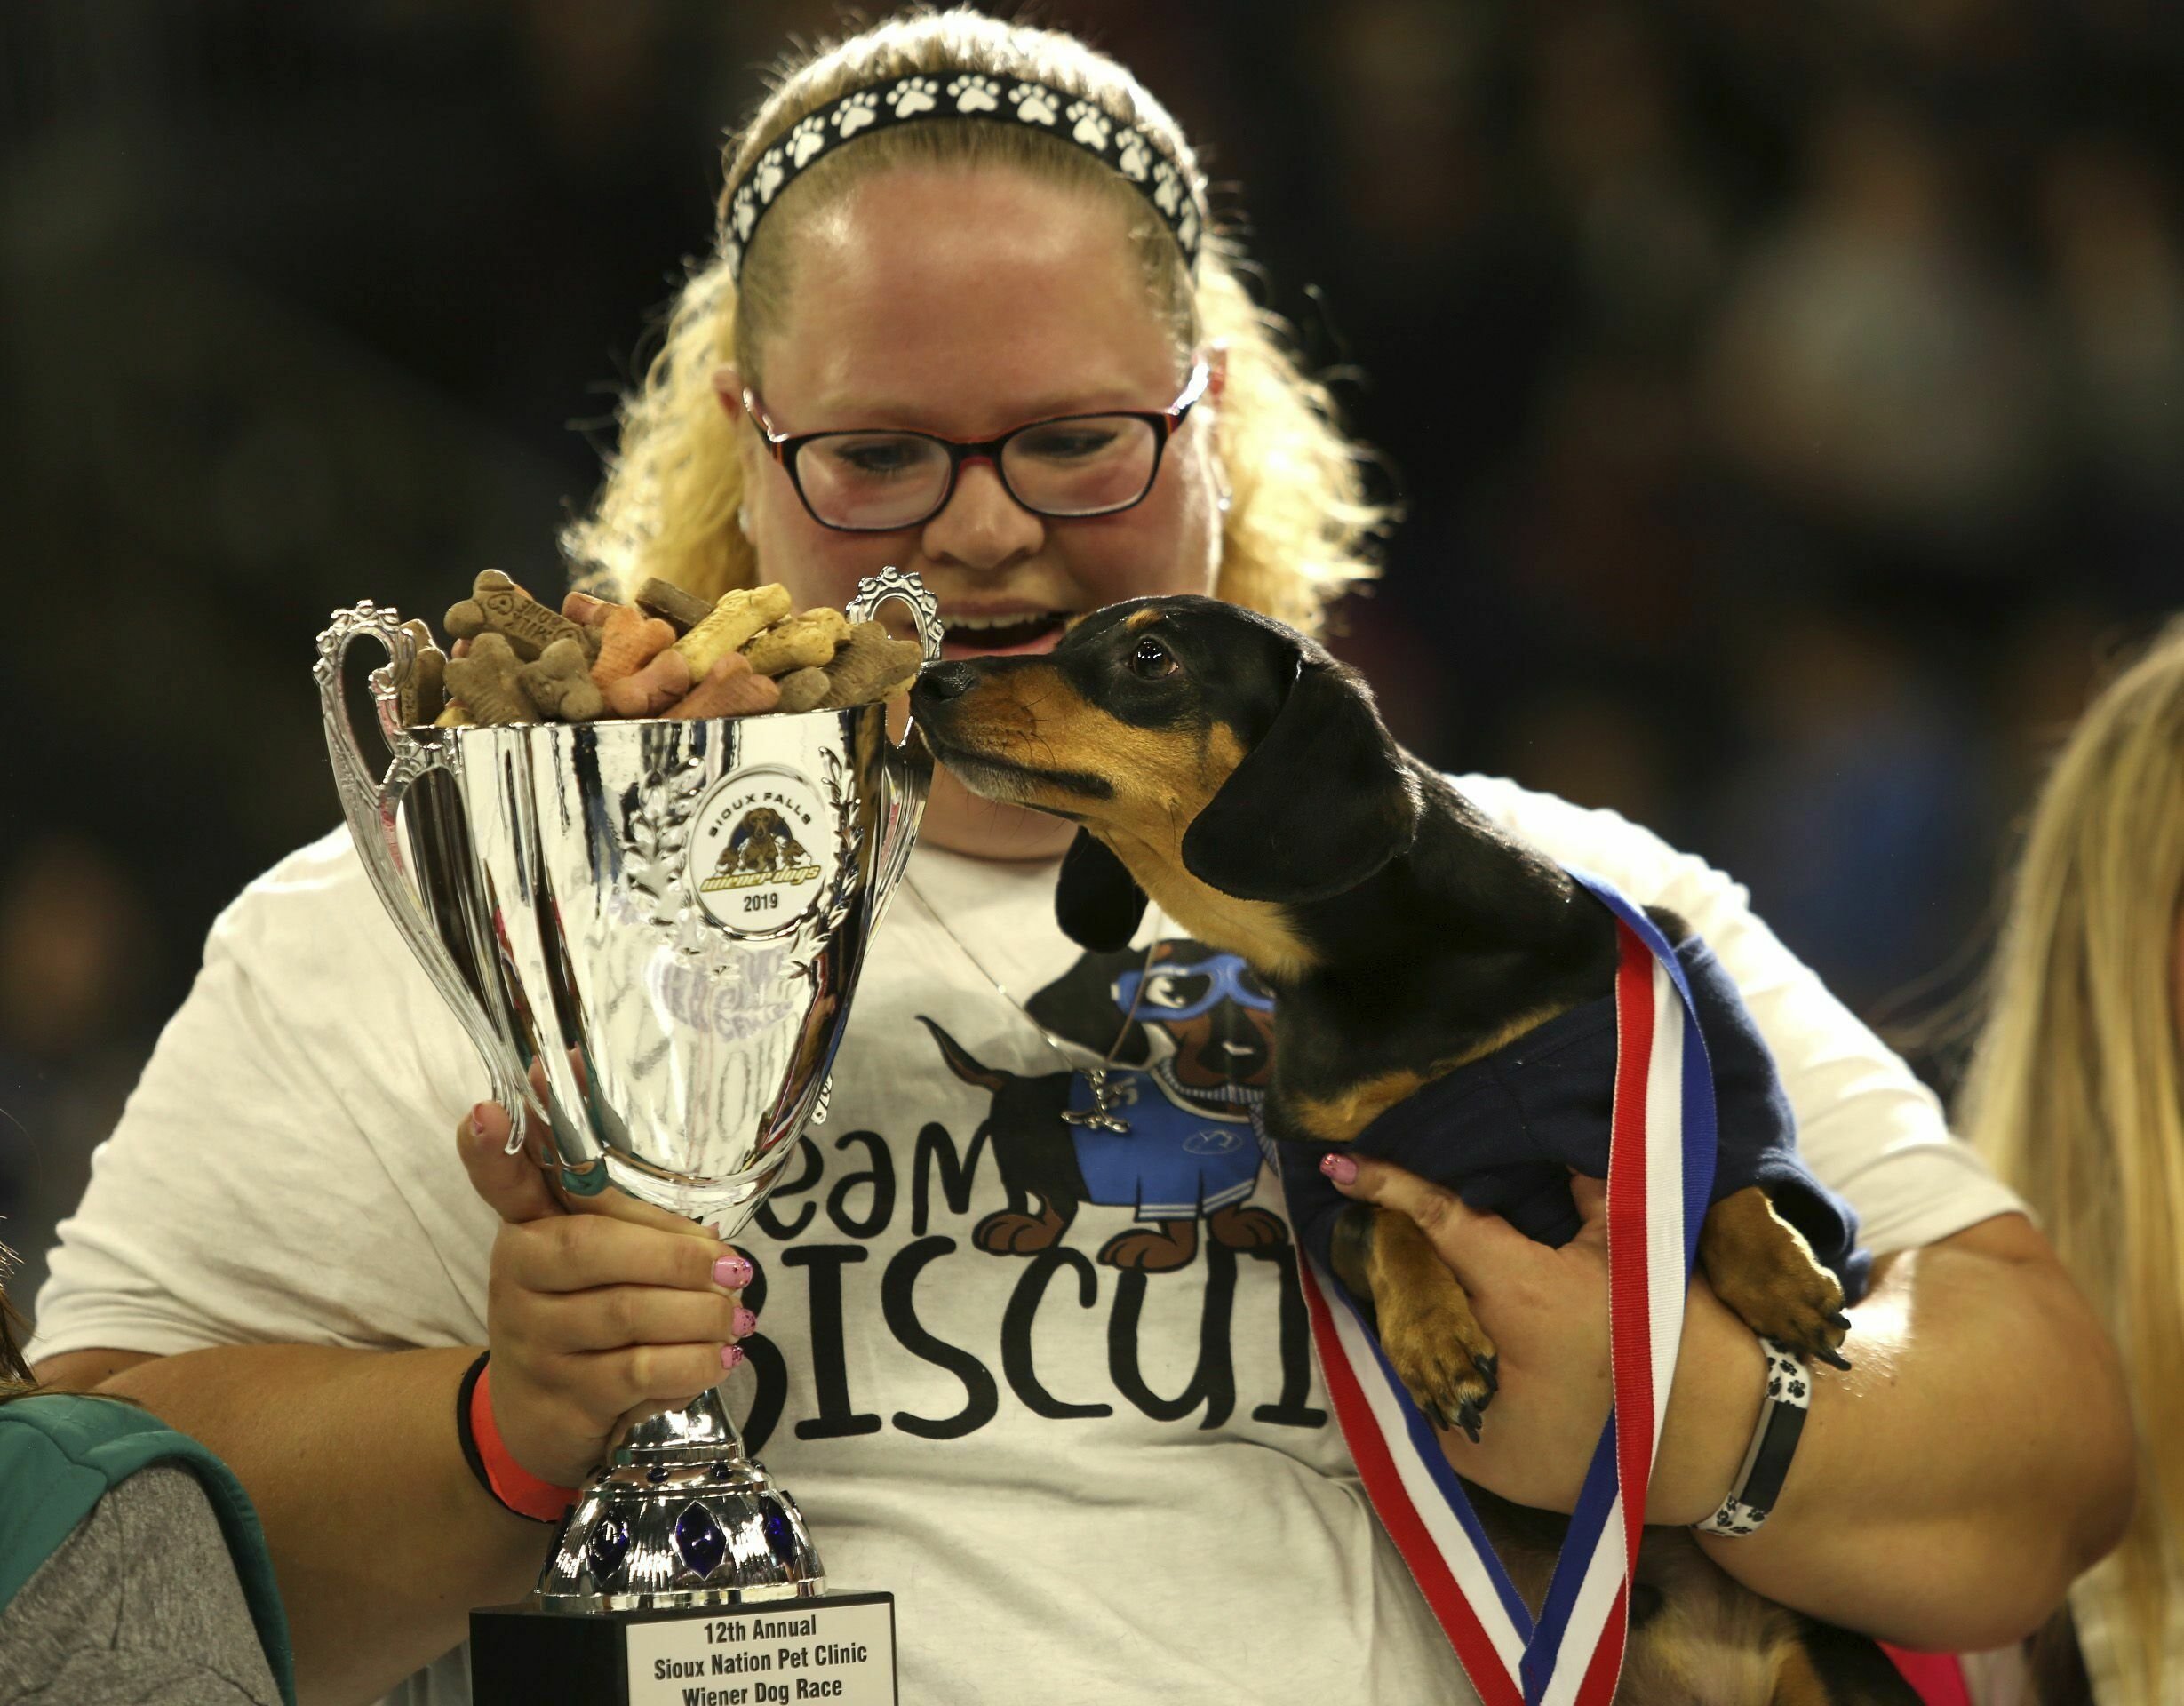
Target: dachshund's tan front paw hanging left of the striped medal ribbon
(1423, 1316)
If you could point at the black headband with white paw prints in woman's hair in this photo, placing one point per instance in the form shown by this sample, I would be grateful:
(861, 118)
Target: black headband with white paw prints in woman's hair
(969, 95)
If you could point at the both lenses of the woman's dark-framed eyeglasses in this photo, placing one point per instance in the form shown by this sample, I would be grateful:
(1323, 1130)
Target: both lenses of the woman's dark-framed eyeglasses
(1082, 466)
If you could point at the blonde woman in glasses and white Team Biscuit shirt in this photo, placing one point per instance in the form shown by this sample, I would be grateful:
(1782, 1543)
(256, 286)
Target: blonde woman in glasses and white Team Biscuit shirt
(988, 1410)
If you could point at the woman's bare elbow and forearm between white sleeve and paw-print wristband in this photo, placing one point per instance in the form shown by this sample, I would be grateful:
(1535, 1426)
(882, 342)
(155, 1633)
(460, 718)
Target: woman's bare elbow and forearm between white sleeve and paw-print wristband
(1975, 1458)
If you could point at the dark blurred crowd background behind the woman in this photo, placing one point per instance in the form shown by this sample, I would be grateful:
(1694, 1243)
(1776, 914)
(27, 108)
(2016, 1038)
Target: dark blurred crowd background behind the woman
(1788, 405)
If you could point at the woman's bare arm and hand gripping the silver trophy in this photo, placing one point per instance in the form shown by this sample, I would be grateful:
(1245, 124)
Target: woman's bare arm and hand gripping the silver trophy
(381, 1537)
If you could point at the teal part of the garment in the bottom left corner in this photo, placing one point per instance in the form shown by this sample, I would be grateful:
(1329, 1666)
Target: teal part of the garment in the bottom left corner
(60, 1454)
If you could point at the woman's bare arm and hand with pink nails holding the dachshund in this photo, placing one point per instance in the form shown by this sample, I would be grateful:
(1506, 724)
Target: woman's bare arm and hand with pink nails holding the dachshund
(1947, 1486)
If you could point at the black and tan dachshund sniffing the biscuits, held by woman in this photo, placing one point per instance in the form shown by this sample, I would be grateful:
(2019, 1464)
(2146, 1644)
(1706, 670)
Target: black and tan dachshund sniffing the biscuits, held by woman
(1237, 774)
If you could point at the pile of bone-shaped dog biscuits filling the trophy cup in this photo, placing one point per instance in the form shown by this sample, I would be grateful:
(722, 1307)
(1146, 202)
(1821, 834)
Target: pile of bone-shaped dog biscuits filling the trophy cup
(665, 654)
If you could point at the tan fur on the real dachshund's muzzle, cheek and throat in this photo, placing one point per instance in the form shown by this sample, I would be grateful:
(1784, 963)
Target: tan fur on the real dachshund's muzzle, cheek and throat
(1161, 781)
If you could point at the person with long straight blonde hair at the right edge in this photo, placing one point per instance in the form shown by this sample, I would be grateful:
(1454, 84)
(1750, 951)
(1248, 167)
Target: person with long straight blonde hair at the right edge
(2078, 1100)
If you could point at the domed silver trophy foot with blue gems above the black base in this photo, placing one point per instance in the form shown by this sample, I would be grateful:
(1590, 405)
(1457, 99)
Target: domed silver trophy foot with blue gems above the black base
(680, 1517)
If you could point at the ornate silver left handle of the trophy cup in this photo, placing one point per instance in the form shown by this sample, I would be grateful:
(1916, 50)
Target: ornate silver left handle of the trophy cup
(372, 809)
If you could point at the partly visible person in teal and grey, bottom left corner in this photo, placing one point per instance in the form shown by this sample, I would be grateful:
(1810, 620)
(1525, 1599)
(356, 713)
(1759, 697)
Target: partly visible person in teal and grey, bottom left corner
(130, 1561)
